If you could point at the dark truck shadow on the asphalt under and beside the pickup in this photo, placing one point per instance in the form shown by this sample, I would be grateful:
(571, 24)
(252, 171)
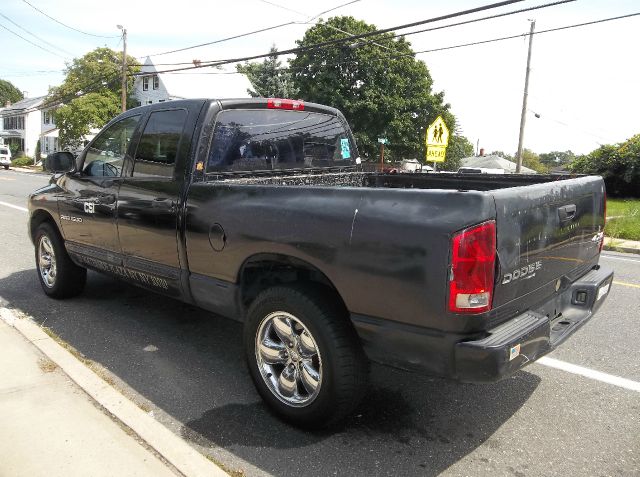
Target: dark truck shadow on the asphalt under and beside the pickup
(190, 365)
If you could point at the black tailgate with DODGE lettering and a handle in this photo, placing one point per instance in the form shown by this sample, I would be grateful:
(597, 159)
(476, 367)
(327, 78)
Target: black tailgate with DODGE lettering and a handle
(547, 233)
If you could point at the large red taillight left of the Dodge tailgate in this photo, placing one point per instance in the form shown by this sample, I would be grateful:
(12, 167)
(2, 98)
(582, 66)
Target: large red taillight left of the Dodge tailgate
(473, 269)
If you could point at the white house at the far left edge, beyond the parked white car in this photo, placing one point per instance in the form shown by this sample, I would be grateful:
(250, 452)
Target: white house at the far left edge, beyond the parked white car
(21, 124)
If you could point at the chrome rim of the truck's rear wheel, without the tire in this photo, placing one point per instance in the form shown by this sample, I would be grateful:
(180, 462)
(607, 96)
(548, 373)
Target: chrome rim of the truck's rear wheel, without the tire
(288, 359)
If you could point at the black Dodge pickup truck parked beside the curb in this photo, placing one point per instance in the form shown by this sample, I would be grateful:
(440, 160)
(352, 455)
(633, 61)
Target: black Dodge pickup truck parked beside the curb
(259, 210)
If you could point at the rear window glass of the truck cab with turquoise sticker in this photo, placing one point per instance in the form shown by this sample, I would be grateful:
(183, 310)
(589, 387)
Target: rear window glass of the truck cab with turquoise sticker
(251, 140)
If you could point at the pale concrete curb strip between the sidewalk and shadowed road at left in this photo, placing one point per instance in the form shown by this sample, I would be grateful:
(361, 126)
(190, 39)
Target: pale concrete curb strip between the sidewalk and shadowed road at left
(173, 449)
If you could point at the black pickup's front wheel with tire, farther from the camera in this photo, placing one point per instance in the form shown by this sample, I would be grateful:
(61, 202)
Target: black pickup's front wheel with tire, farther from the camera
(58, 275)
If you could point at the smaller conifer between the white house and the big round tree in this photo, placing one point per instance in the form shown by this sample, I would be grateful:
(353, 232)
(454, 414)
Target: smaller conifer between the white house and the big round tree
(269, 79)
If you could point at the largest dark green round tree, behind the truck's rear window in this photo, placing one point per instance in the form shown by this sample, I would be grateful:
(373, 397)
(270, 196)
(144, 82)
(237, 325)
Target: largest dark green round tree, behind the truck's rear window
(376, 82)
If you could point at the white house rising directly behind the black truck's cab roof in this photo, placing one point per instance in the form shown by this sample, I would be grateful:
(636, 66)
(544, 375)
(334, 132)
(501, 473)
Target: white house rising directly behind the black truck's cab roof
(152, 87)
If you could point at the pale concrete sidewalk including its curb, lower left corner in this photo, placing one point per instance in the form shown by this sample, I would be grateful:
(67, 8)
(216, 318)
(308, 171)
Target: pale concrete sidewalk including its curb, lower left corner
(49, 425)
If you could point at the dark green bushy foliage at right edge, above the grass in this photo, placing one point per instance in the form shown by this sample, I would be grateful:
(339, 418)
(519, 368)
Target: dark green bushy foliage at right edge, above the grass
(618, 164)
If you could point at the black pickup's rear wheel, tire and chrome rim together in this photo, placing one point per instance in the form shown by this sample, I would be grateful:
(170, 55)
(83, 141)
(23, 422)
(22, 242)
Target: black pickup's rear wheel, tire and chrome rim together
(304, 357)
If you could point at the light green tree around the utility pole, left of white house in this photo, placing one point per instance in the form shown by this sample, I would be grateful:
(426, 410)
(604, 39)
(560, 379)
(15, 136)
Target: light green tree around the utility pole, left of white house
(90, 94)
